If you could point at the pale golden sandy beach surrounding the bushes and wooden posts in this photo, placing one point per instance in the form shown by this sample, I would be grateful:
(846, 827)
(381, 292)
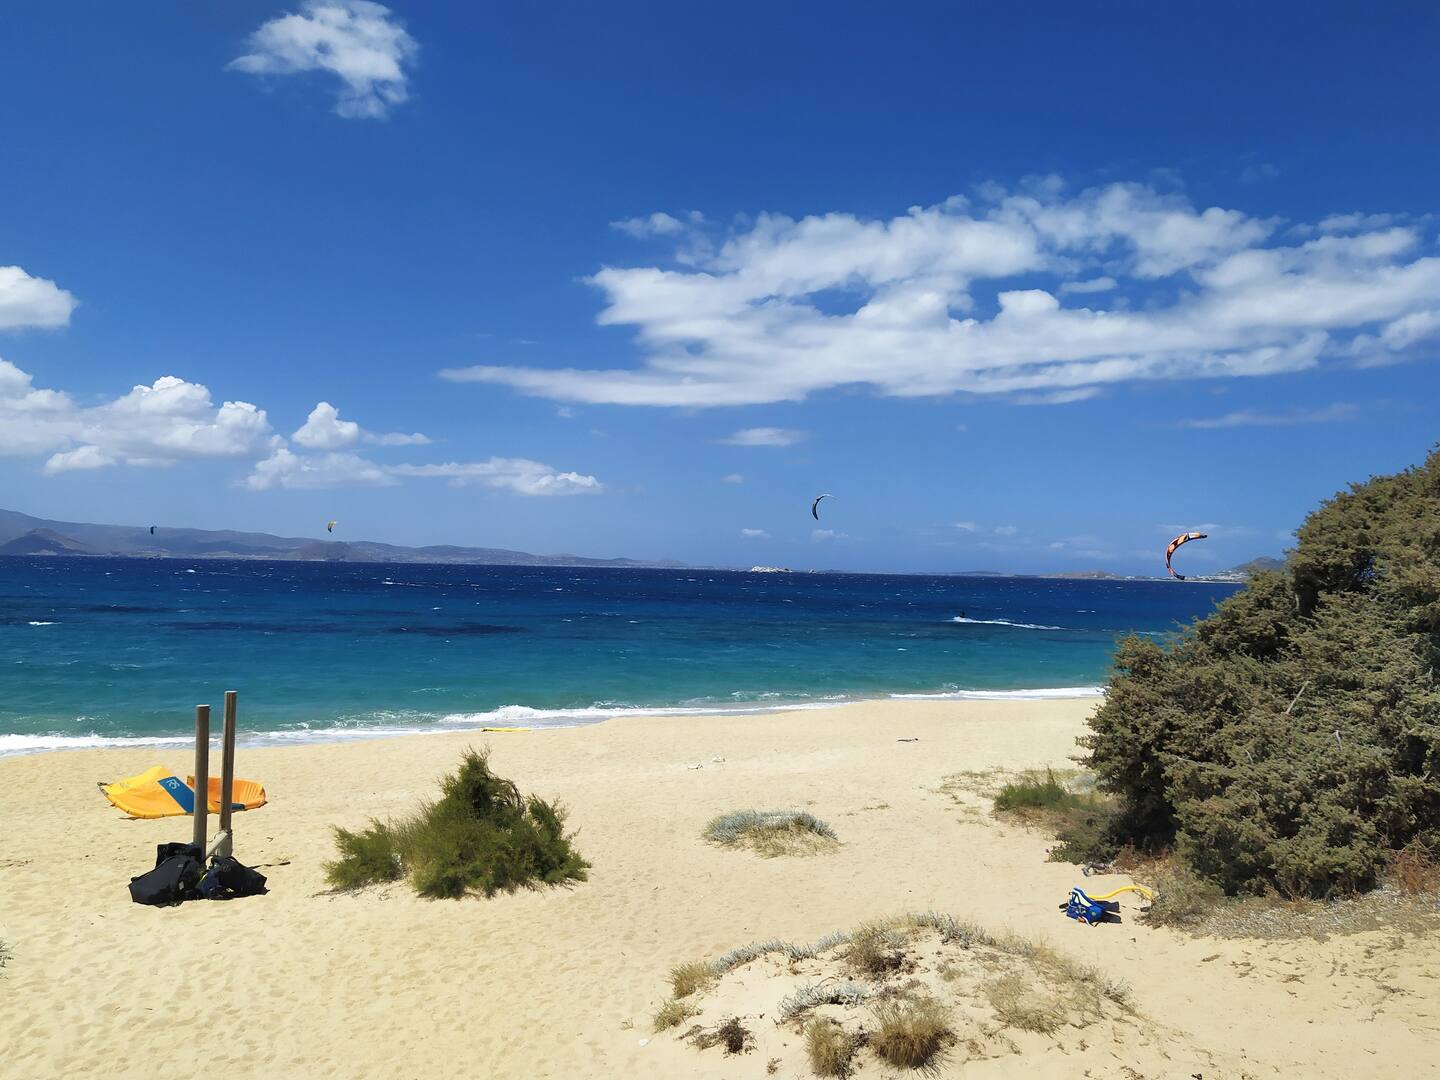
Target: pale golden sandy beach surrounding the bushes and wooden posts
(564, 983)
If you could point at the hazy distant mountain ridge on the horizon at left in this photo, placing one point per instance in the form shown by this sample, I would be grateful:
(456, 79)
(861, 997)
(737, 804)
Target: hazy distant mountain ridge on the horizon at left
(24, 535)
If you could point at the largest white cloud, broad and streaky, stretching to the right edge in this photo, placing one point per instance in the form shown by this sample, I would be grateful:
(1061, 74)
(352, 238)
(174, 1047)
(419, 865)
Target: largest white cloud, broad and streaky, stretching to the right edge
(930, 303)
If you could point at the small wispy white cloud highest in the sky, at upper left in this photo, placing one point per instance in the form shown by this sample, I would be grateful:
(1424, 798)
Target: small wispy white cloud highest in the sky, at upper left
(356, 41)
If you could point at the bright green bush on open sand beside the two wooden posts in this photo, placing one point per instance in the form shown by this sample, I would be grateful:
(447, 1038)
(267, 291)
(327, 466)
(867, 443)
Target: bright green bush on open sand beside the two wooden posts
(483, 836)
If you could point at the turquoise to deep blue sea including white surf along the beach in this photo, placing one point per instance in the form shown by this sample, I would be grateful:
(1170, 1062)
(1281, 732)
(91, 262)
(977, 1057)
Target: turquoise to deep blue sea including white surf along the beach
(117, 650)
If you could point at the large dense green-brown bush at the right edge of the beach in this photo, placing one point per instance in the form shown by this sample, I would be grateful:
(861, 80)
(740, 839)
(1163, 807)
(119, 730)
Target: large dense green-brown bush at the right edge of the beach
(1292, 739)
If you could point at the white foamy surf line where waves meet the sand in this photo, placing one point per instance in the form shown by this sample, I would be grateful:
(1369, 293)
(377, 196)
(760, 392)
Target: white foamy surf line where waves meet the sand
(18, 745)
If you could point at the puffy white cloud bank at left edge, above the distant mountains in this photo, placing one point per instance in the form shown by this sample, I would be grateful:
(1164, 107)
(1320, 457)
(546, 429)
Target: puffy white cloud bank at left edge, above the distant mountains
(161, 424)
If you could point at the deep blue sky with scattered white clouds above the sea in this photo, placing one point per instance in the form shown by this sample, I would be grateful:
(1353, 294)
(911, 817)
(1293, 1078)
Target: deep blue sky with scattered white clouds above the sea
(1025, 292)
